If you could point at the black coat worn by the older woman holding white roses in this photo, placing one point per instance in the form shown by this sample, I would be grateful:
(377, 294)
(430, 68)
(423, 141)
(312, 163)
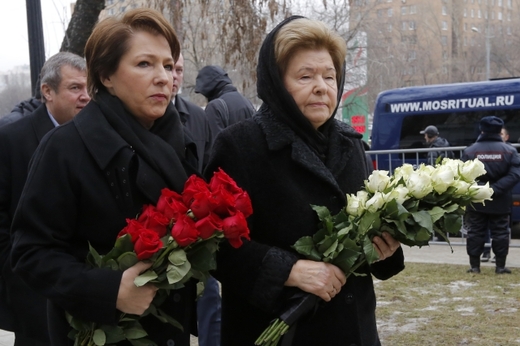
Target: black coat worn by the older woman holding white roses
(284, 177)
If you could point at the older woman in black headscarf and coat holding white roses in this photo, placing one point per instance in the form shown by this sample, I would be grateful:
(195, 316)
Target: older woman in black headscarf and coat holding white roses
(292, 154)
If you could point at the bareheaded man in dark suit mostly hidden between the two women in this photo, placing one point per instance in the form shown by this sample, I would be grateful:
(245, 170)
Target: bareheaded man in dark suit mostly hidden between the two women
(195, 120)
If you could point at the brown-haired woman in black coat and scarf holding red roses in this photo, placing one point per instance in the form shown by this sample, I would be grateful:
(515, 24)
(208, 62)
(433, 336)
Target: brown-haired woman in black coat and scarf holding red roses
(90, 174)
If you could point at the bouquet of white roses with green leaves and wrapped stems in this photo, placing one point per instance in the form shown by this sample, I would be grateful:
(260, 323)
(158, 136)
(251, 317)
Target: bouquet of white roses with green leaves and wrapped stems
(412, 205)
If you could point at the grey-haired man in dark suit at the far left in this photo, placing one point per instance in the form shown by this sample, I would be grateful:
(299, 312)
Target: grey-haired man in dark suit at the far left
(63, 86)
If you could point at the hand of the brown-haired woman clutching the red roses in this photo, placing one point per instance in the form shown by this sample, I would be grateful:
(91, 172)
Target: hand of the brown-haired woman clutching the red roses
(130, 298)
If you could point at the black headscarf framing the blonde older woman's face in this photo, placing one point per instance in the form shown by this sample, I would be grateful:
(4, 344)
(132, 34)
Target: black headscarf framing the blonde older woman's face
(279, 101)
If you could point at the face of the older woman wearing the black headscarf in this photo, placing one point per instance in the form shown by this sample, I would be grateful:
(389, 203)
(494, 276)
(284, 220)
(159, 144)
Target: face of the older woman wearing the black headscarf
(310, 78)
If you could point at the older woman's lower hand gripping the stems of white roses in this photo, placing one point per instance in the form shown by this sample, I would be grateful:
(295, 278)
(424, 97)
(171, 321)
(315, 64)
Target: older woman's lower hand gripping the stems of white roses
(319, 278)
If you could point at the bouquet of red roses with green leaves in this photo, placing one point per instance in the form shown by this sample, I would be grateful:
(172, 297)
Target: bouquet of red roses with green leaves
(180, 236)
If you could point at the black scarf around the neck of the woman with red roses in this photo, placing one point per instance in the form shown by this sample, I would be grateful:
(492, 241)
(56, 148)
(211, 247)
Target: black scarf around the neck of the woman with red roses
(162, 146)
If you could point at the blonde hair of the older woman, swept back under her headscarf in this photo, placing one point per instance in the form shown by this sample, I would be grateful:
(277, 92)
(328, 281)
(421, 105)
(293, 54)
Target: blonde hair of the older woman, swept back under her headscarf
(304, 33)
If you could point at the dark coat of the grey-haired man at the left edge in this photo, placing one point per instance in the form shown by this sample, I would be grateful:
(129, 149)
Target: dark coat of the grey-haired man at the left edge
(18, 141)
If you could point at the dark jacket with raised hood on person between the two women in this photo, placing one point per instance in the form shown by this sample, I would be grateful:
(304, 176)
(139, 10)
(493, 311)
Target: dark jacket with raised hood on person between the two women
(226, 106)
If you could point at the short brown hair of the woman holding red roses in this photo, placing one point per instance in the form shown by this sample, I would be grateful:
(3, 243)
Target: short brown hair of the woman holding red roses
(109, 42)
